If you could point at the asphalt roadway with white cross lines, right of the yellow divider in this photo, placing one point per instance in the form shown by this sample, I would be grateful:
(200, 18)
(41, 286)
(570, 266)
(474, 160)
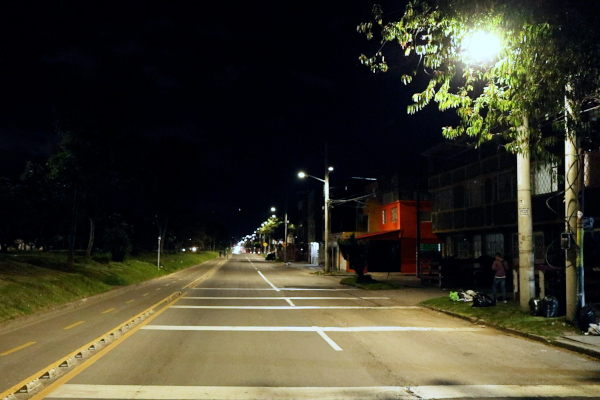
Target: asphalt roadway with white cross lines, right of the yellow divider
(258, 329)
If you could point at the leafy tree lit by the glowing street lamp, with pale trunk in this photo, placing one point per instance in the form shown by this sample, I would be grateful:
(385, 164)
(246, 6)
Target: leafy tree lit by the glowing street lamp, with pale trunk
(516, 95)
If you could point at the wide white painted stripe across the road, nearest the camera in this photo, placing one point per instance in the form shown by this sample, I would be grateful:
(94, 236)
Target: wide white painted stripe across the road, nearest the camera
(71, 391)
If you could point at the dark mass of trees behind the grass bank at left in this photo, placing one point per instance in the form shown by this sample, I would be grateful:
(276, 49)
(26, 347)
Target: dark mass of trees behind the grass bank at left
(110, 191)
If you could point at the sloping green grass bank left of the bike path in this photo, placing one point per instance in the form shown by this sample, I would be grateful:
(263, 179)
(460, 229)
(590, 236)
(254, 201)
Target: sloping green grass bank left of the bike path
(32, 281)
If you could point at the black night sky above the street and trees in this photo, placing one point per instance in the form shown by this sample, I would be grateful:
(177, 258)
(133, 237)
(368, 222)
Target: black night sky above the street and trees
(256, 88)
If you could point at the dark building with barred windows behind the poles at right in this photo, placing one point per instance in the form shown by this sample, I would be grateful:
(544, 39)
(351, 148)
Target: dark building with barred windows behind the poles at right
(474, 211)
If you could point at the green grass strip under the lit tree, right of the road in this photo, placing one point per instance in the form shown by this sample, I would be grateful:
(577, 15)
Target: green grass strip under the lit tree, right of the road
(509, 316)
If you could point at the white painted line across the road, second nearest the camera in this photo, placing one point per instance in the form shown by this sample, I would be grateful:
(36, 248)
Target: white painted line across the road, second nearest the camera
(307, 328)
